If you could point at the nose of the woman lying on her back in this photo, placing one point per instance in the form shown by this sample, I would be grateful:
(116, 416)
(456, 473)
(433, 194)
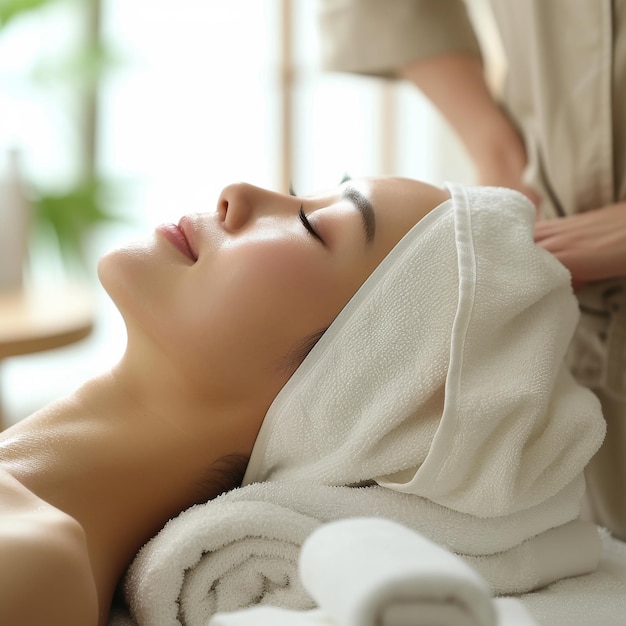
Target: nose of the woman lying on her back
(240, 203)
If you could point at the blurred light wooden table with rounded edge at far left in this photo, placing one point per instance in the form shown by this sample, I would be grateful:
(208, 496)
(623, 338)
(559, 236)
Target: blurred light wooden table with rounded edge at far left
(42, 318)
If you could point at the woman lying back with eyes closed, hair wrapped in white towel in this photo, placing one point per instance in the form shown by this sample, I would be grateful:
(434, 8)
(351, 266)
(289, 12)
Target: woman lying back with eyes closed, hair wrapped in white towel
(438, 375)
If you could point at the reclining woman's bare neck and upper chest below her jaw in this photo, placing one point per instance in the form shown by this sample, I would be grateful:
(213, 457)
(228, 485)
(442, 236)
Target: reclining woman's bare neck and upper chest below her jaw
(122, 456)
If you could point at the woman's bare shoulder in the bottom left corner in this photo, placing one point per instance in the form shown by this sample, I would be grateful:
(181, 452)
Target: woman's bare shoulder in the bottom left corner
(46, 576)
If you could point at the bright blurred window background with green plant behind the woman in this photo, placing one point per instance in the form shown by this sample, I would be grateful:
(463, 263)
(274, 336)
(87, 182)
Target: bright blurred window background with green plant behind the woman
(116, 116)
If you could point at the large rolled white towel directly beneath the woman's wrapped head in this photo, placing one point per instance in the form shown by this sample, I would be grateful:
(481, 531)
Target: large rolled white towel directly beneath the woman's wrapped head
(242, 548)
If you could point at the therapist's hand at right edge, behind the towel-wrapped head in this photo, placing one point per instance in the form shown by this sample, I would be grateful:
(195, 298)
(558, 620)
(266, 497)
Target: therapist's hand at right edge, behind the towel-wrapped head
(591, 245)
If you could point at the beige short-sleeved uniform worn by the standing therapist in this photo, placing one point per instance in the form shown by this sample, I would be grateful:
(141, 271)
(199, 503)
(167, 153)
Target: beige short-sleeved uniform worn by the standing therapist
(566, 91)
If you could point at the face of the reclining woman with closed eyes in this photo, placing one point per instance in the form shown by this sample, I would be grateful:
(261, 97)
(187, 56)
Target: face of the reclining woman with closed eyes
(227, 295)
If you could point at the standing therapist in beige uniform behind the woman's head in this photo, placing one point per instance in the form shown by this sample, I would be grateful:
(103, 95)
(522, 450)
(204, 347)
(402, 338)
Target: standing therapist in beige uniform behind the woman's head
(557, 133)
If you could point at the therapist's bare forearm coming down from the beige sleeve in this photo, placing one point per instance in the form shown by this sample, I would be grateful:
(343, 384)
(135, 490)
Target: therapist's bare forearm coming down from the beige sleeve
(455, 84)
